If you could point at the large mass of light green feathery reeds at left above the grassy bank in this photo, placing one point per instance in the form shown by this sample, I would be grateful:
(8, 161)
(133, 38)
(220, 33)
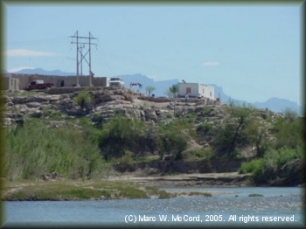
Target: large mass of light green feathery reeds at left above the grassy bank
(36, 149)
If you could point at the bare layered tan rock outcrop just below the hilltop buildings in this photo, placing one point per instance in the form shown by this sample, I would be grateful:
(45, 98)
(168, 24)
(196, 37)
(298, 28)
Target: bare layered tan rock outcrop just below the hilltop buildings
(106, 102)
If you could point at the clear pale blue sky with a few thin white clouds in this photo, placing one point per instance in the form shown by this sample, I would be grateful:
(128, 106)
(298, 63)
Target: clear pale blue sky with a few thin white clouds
(253, 51)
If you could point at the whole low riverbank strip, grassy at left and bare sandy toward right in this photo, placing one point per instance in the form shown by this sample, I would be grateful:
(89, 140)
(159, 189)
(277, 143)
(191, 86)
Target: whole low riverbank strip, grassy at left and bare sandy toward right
(127, 186)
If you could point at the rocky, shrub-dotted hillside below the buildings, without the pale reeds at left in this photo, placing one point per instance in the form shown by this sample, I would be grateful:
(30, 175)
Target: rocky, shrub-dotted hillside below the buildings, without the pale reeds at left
(172, 136)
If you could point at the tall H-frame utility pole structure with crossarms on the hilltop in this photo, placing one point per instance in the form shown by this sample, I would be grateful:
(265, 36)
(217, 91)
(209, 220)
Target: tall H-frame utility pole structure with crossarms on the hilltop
(79, 51)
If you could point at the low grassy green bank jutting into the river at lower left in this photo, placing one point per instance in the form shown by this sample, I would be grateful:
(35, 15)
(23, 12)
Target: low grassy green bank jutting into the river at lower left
(79, 190)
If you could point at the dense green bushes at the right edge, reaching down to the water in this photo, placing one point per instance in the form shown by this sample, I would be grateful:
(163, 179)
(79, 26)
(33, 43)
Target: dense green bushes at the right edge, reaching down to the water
(288, 146)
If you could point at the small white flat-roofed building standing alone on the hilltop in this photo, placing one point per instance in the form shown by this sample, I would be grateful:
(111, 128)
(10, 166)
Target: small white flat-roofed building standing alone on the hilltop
(195, 90)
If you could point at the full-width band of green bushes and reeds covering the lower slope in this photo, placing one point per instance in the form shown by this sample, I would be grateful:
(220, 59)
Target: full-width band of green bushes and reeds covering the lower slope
(79, 150)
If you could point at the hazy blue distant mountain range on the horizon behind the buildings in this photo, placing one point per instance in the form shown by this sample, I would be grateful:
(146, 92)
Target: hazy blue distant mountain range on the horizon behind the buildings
(161, 86)
